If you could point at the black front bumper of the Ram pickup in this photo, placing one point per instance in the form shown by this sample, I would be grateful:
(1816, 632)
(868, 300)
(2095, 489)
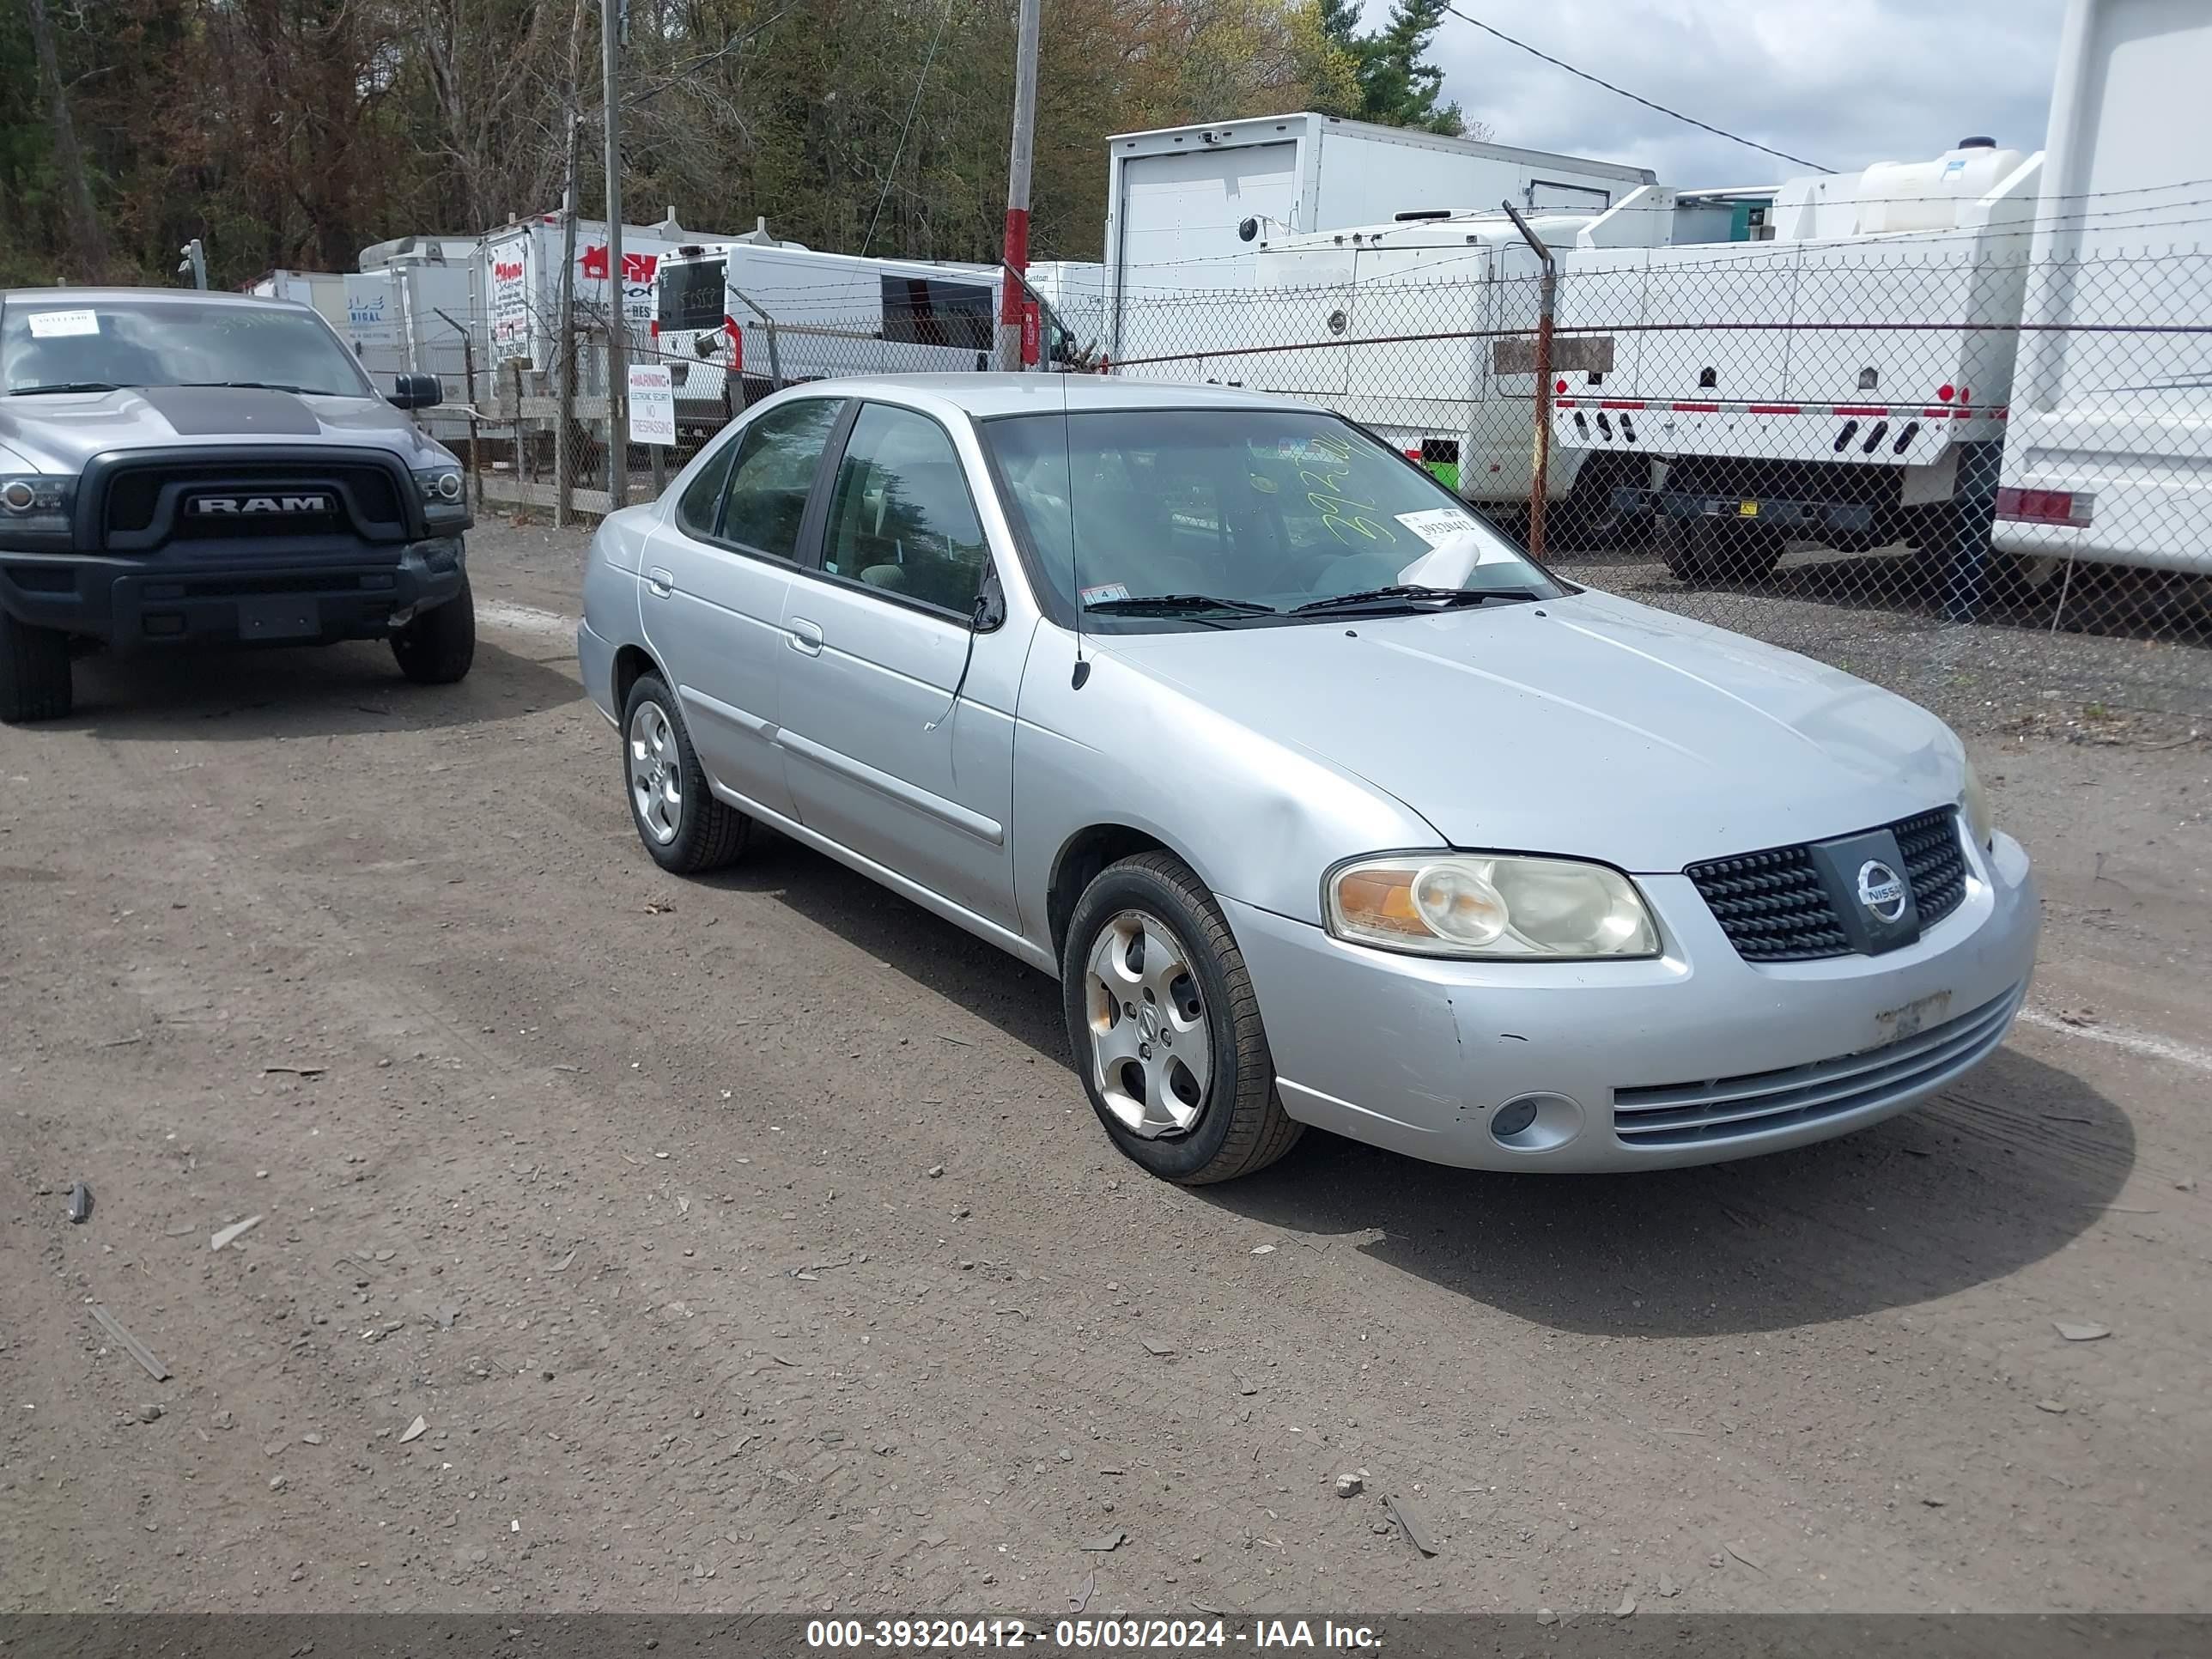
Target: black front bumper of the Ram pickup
(136, 603)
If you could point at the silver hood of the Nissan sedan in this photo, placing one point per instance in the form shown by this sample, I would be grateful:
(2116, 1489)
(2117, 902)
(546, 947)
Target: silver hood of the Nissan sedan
(1585, 727)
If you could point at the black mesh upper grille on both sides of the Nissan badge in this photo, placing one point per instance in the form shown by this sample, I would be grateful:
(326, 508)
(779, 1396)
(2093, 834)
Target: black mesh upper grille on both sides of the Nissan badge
(1775, 908)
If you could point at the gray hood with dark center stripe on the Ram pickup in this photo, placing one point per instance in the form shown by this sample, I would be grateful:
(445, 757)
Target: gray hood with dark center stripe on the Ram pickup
(63, 430)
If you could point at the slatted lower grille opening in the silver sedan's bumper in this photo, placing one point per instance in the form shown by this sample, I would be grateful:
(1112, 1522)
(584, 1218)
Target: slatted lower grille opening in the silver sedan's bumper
(1762, 1103)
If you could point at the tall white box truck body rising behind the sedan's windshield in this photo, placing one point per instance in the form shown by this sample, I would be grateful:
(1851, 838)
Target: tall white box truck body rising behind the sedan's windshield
(1189, 205)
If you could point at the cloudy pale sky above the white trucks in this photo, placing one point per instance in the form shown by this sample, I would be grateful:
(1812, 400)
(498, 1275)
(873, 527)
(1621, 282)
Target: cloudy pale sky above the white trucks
(1839, 83)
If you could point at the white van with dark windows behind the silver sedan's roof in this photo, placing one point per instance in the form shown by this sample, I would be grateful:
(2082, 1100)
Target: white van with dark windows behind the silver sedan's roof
(718, 306)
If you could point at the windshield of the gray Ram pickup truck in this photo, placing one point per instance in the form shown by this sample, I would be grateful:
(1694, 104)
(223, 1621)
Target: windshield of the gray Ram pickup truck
(109, 342)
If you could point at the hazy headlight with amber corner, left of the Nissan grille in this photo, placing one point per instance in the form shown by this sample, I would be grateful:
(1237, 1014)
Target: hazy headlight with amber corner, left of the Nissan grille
(1488, 908)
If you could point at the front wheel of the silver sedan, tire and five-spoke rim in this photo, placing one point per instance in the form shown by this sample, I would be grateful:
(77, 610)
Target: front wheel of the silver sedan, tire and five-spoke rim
(1198, 990)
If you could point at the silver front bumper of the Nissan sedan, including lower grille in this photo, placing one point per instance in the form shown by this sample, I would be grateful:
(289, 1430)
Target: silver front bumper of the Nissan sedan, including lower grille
(1711, 1056)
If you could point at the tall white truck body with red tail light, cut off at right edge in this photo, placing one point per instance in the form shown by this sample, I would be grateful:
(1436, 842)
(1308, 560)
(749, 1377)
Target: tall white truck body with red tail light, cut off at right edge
(2109, 437)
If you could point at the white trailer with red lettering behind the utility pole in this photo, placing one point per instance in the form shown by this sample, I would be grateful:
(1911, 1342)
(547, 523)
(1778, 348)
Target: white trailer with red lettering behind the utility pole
(519, 286)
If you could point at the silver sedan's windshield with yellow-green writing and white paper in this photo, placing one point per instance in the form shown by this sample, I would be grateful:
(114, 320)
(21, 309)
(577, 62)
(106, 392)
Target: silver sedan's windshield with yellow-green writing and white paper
(1171, 519)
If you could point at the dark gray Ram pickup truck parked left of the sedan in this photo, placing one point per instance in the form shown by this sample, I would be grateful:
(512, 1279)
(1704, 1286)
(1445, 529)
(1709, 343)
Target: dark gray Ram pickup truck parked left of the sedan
(182, 468)
